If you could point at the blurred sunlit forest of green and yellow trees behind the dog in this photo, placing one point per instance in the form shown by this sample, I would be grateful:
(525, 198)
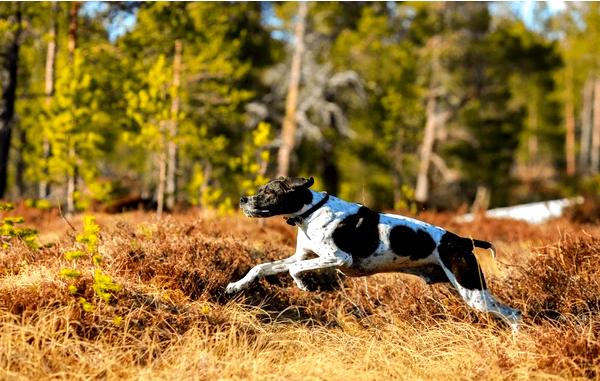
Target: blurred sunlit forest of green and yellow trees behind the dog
(390, 104)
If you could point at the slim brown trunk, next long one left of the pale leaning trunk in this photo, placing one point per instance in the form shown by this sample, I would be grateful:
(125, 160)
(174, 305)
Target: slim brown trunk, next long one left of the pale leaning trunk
(171, 187)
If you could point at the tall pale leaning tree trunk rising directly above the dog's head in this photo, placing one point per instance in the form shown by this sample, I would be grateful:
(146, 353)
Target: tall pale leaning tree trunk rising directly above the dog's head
(288, 131)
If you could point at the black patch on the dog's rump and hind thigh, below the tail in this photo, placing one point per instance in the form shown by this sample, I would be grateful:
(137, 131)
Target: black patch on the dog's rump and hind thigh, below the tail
(457, 255)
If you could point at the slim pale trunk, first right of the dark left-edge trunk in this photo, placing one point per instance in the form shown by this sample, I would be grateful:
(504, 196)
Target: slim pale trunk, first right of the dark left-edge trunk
(44, 186)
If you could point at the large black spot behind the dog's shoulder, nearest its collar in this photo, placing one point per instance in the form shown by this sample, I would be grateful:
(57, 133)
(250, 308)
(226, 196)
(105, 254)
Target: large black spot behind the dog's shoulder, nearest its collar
(358, 234)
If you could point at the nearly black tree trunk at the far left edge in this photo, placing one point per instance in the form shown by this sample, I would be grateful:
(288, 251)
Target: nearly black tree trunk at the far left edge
(7, 102)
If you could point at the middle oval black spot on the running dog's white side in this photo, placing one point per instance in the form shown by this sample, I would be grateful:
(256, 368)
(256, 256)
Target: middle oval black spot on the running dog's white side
(406, 242)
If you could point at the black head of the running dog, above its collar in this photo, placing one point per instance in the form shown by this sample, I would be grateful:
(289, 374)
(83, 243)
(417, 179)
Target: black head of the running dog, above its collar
(281, 196)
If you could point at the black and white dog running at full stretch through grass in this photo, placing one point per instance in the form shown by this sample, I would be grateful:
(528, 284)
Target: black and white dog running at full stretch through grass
(359, 241)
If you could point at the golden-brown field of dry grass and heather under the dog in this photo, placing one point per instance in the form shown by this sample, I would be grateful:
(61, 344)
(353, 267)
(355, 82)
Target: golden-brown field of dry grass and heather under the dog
(171, 319)
